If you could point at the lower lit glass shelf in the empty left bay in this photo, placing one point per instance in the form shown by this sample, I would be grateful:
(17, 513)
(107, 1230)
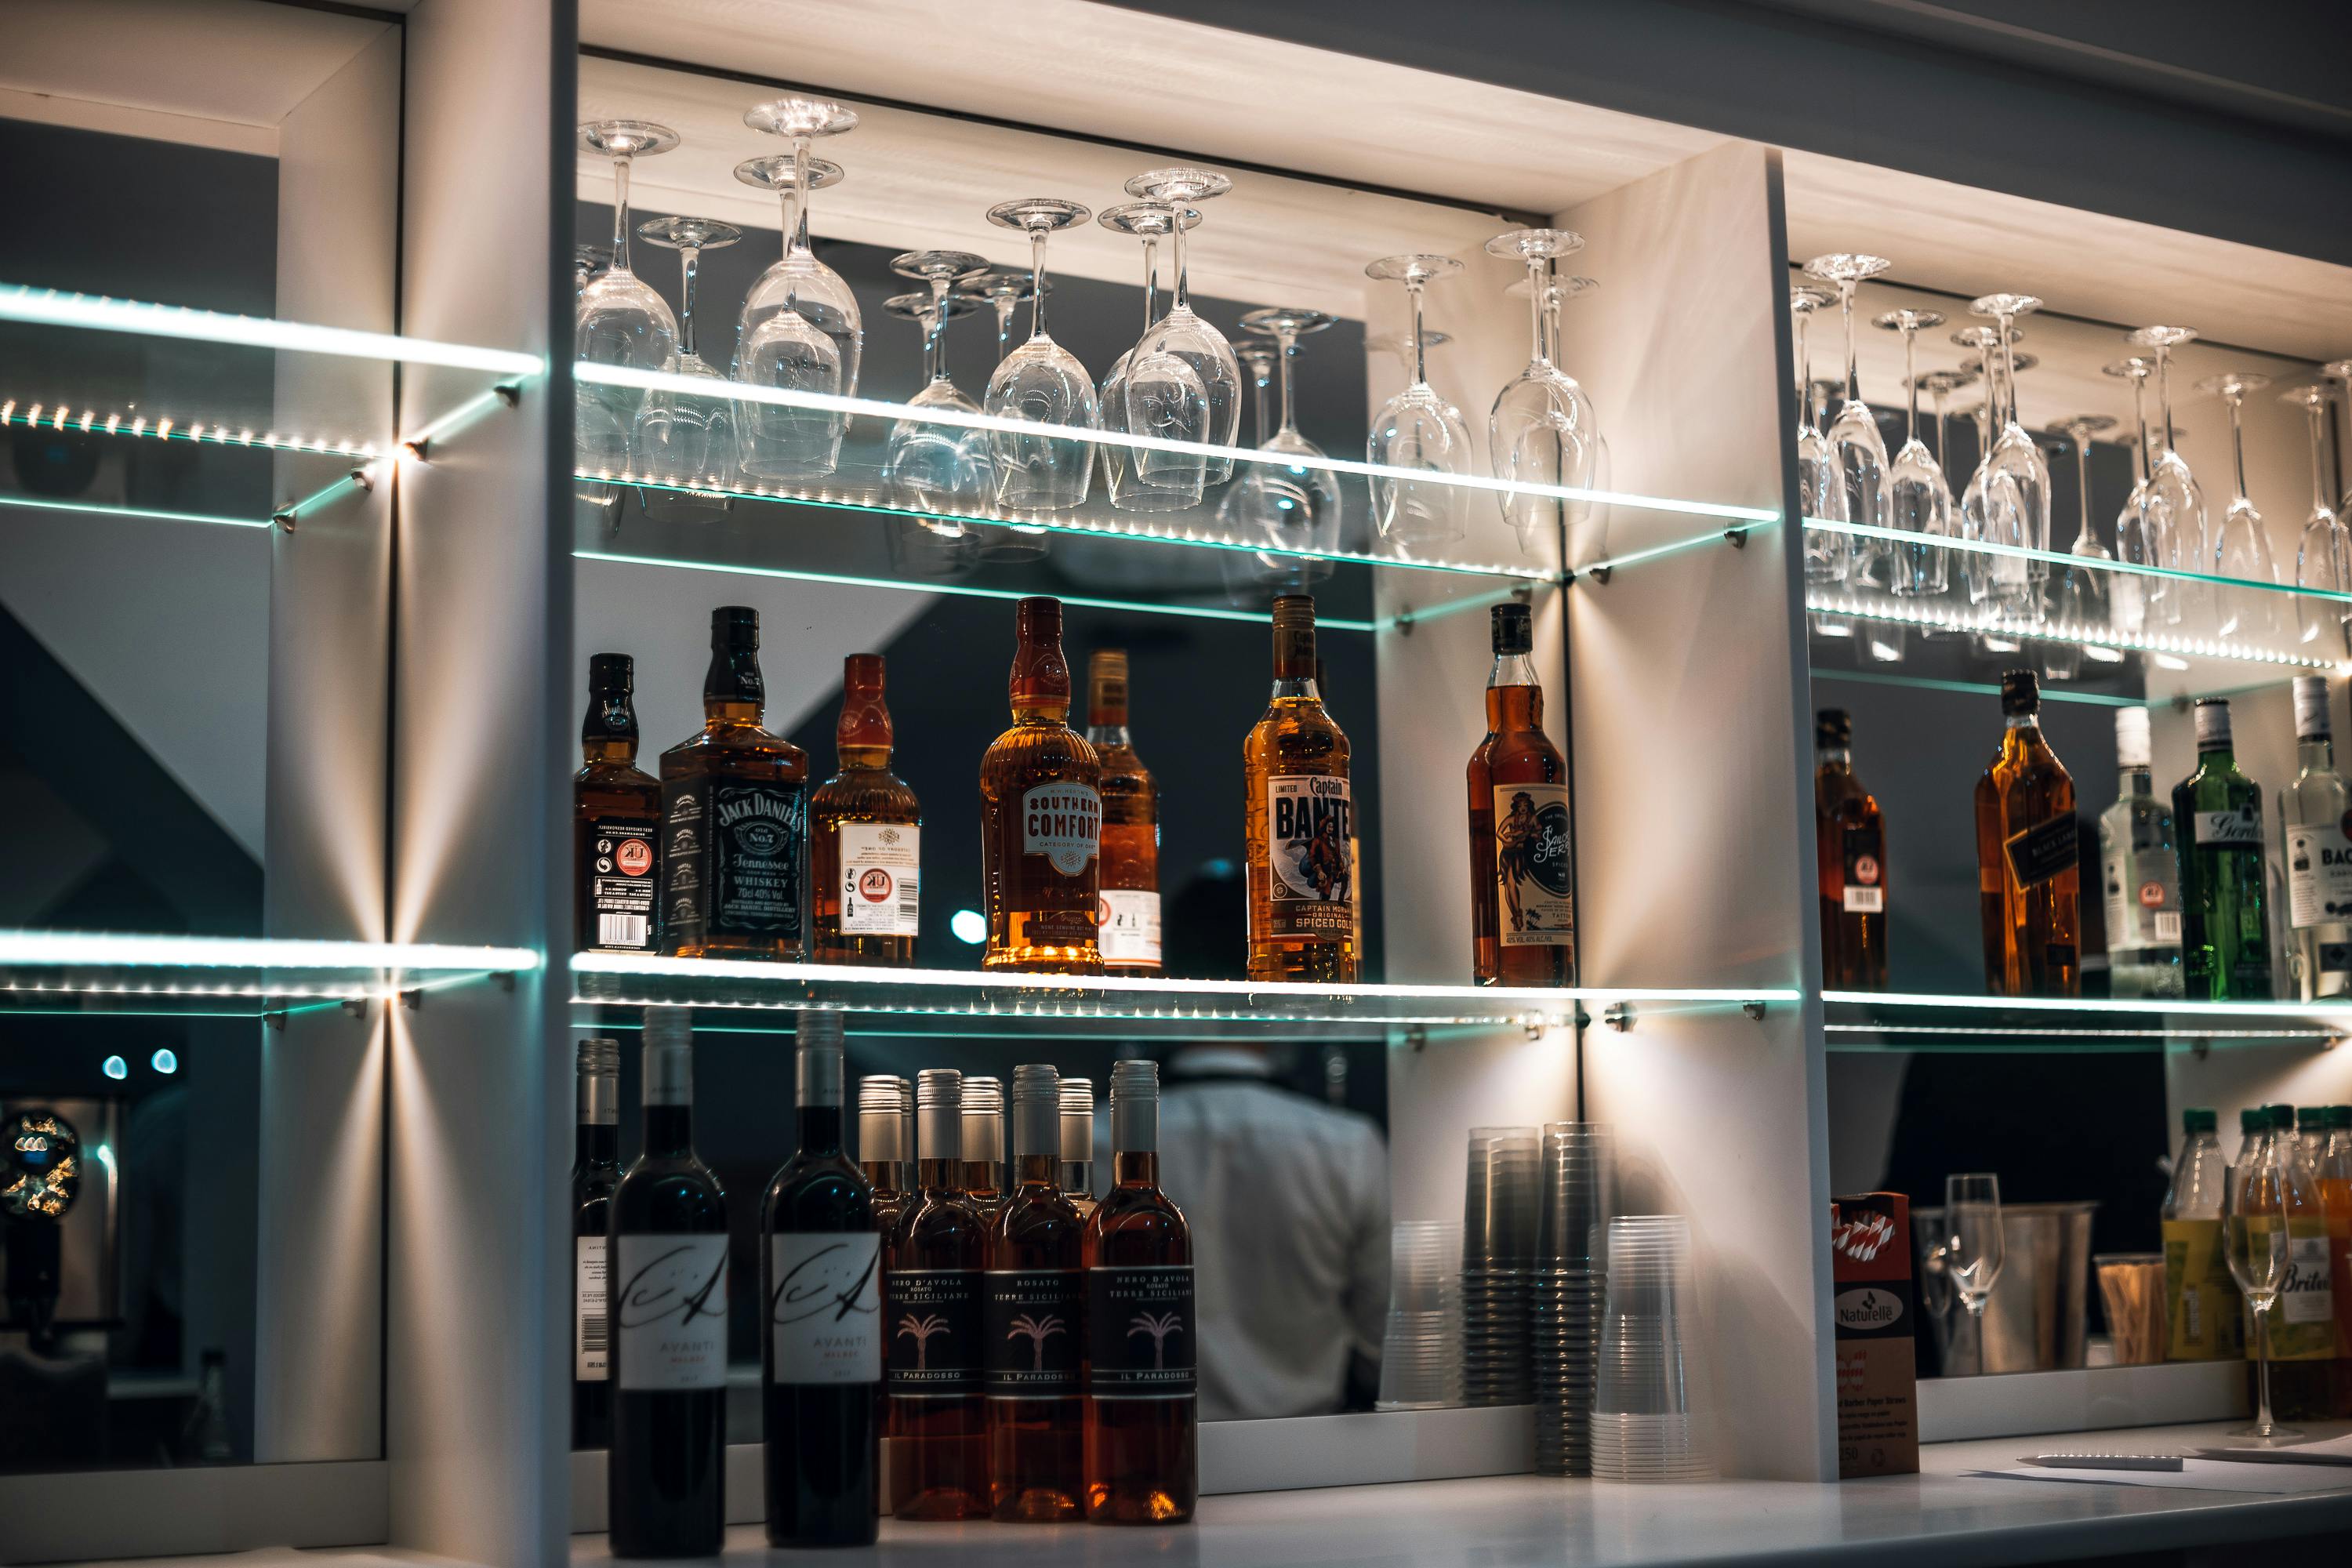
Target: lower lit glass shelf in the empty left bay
(227, 977)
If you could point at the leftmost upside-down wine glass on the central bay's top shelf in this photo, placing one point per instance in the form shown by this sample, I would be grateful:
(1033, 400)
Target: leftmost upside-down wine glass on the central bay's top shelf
(617, 319)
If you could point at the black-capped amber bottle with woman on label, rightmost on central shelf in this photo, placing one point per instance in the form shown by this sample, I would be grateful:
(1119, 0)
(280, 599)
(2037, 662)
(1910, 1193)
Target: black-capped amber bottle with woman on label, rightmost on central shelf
(1523, 913)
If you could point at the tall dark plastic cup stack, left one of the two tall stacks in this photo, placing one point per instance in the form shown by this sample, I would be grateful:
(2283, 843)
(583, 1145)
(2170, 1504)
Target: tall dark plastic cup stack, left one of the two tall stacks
(1499, 1259)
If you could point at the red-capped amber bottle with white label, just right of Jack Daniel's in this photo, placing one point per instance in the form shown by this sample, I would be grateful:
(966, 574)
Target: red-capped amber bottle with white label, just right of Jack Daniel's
(864, 836)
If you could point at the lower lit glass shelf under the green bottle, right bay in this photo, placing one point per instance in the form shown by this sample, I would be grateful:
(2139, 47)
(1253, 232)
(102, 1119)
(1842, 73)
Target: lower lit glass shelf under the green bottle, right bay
(1890, 1021)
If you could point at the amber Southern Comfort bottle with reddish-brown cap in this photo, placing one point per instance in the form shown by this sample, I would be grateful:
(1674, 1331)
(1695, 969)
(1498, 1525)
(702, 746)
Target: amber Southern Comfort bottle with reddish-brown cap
(1041, 817)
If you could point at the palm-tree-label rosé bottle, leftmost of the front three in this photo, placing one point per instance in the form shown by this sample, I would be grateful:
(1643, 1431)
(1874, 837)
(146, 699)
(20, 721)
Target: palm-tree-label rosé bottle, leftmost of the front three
(933, 1308)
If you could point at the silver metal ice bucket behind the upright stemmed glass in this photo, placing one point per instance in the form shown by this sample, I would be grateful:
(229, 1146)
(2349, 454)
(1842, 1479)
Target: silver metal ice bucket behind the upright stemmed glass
(2036, 1315)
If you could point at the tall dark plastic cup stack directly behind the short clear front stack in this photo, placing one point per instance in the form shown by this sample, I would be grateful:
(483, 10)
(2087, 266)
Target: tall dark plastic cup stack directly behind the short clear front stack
(1577, 1200)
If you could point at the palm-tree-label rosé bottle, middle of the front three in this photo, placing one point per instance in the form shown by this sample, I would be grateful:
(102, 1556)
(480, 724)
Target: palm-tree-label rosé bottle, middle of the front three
(1031, 1322)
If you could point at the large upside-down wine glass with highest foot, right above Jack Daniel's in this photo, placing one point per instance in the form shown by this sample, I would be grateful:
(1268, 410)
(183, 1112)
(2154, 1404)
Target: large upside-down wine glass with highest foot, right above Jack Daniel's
(784, 335)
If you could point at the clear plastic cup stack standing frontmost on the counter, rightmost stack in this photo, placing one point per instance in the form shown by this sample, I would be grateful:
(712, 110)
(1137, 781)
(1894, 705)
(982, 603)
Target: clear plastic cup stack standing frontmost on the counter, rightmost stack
(1652, 1412)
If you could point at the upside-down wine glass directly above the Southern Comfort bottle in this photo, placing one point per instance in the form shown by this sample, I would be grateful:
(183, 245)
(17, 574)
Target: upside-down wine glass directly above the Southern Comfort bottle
(1041, 384)
